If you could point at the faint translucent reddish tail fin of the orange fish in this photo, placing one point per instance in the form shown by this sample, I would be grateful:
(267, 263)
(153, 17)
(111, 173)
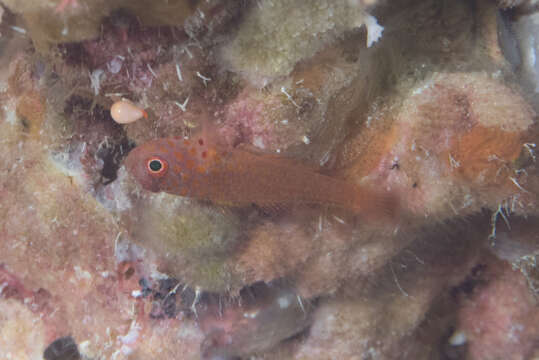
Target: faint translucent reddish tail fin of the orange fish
(377, 205)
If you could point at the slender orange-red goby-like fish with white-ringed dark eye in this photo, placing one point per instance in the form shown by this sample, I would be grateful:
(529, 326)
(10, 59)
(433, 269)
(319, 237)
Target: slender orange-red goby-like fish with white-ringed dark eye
(238, 177)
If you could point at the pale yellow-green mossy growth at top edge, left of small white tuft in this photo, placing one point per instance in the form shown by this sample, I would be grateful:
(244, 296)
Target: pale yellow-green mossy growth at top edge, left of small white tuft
(274, 36)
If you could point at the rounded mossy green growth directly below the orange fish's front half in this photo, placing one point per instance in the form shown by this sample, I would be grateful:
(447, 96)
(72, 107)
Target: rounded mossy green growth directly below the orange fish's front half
(194, 242)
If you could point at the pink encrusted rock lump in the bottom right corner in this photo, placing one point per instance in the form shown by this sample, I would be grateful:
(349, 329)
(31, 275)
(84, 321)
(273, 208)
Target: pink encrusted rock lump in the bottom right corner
(499, 319)
